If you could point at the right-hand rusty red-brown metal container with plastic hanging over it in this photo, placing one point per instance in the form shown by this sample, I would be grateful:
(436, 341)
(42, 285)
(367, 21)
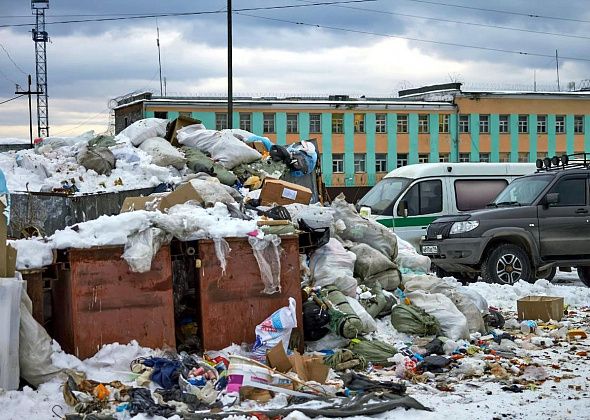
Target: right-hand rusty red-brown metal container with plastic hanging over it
(231, 304)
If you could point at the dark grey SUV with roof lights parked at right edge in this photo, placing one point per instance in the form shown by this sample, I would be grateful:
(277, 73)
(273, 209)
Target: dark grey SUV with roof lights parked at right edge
(537, 223)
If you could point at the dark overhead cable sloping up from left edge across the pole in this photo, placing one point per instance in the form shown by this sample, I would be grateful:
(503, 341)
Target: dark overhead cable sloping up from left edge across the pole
(210, 12)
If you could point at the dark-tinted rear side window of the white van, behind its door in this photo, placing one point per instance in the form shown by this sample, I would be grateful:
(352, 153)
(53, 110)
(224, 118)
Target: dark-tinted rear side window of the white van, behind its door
(471, 194)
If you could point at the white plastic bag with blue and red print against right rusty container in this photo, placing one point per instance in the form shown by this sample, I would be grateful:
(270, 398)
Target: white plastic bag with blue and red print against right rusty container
(275, 329)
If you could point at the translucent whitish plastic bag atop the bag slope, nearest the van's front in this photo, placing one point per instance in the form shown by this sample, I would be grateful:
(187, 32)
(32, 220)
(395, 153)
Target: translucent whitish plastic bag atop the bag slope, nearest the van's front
(357, 229)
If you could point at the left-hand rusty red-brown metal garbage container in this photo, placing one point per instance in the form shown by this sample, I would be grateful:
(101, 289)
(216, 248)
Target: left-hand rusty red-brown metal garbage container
(98, 300)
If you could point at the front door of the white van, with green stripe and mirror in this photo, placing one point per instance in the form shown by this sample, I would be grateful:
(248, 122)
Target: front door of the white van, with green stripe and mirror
(417, 208)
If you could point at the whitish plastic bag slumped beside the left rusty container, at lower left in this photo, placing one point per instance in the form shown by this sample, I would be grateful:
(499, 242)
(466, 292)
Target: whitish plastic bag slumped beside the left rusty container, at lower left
(36, 366)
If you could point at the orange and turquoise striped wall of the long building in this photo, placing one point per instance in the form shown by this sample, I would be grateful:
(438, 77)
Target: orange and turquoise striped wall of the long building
(398, 148)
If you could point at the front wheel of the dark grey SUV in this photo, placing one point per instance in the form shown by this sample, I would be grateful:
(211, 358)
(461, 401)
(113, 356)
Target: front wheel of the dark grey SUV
(506, 264)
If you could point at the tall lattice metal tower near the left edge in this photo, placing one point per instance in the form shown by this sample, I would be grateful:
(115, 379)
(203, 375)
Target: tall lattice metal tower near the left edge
(40, 38)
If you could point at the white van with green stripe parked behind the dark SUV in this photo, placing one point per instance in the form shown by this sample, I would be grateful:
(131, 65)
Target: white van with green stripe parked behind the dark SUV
(409, 198)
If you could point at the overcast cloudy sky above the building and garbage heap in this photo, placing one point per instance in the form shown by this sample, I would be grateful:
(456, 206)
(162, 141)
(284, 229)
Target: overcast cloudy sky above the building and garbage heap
(370, 48)
